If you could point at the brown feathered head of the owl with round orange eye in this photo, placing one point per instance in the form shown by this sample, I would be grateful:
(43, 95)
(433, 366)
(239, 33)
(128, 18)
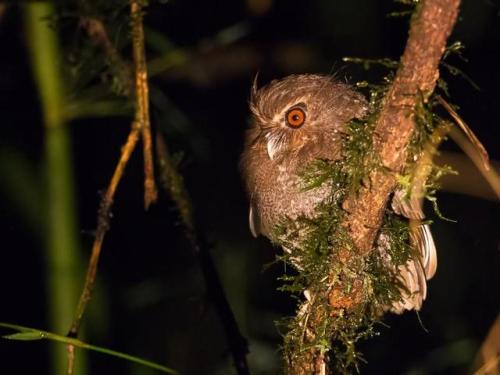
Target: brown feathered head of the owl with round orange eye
(303, 114)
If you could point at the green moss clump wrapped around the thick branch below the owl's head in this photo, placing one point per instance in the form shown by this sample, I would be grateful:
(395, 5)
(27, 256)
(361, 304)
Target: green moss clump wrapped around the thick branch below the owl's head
(329, 270)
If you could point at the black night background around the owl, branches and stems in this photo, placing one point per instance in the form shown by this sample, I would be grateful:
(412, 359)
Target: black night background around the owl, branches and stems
(151, 295)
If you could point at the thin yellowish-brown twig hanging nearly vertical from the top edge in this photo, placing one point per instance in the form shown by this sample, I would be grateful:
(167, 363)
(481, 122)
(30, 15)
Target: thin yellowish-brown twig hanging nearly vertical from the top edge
(142, 101)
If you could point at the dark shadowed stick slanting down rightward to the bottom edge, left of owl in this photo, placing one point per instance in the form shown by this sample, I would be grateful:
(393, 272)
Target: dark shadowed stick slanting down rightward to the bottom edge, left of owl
(173, 183)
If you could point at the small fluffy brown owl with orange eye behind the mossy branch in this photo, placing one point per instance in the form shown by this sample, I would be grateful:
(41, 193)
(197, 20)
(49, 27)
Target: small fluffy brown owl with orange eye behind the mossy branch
(295, 121)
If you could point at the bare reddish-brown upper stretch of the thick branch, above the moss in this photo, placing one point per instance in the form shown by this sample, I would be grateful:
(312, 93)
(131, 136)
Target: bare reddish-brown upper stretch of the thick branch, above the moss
(416, 77)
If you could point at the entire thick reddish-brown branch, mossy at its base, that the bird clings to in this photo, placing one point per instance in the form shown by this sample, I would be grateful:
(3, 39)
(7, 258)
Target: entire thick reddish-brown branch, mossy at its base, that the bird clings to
(346, 291)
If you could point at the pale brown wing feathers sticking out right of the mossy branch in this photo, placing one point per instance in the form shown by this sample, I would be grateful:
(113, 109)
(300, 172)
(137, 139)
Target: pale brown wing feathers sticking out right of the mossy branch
(415, 273)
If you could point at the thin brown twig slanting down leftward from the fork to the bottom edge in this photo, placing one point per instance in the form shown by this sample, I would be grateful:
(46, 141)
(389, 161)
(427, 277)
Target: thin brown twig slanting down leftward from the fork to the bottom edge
(102, 227)
